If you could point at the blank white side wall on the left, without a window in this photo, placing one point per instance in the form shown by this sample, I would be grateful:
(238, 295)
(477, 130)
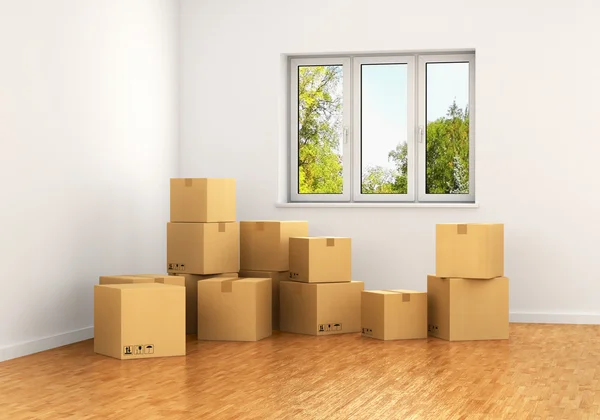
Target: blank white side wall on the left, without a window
(88, 141)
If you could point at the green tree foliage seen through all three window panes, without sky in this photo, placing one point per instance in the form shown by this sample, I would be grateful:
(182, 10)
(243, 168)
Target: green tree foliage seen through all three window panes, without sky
(319, 132)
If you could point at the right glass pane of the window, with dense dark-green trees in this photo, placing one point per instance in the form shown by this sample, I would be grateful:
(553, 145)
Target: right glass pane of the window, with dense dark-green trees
(447, 131)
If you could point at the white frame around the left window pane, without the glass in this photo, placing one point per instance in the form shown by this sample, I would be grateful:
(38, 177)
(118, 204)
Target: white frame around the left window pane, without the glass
(346, 152)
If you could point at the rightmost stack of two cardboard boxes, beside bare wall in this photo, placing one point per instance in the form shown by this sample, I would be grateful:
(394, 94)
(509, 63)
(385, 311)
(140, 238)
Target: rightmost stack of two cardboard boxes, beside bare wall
(468, 296)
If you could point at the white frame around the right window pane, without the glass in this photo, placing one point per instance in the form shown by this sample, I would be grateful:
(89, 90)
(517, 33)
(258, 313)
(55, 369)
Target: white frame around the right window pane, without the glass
(422, 127)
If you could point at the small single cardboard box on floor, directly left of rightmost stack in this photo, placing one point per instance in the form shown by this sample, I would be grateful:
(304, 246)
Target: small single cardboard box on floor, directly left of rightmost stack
(394, 314)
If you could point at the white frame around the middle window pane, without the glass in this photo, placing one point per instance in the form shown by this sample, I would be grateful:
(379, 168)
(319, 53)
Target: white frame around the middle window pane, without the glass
(357, 137)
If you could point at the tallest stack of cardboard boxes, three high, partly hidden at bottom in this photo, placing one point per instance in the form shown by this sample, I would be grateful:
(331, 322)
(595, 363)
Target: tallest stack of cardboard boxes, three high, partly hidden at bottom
(203, 238)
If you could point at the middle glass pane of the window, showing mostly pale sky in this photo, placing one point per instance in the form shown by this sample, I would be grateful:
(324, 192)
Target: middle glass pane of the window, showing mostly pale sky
(384, 101)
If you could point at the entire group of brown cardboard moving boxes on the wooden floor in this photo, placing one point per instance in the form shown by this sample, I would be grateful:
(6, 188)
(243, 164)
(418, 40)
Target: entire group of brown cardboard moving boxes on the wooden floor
(238, 281)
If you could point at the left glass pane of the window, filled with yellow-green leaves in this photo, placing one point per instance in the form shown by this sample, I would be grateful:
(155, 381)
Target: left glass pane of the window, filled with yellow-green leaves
(320, 129)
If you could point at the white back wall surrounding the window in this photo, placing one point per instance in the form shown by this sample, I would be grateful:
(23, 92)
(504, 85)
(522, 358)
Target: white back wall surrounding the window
(536, 153)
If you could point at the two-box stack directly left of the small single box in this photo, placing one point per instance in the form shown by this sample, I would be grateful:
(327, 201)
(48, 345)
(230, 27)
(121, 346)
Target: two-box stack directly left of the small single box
(320, 297)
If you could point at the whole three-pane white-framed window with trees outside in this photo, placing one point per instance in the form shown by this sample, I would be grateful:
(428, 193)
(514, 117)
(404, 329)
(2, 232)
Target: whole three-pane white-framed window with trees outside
(382, 128)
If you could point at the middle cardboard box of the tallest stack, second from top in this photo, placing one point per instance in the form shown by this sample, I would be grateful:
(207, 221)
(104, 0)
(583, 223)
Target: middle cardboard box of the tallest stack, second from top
(203, 248)
